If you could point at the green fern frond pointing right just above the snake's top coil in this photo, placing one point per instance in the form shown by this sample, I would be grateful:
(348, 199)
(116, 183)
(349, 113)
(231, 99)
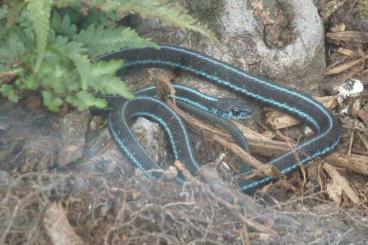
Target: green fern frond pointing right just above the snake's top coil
(102, 40)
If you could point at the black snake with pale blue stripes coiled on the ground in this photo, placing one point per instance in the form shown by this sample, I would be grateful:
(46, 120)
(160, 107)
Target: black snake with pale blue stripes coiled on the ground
(299, 105)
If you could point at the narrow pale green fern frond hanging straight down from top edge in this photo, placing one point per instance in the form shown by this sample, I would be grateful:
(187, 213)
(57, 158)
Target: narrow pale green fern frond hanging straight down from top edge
(40, 16)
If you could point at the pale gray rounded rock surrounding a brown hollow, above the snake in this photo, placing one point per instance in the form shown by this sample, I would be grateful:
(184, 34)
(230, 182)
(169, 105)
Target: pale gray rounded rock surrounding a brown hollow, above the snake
(301, 61)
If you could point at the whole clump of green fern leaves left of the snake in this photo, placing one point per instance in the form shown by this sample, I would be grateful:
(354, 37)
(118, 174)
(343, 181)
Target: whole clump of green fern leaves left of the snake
(50, 47)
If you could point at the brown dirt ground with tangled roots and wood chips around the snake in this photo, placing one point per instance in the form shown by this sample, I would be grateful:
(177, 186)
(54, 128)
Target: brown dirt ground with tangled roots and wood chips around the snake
(99, 199)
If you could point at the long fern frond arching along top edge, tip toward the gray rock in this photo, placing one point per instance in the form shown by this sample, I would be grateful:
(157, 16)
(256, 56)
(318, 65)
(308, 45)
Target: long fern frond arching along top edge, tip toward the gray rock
(158, 9)
